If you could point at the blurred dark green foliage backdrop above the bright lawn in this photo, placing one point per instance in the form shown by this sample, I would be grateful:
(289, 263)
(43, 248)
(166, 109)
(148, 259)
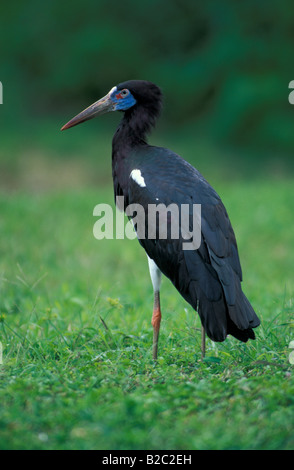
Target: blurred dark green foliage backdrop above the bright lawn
(224, 67)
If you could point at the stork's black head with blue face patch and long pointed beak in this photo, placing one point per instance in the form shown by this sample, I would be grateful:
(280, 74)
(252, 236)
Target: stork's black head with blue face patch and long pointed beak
(126, 96)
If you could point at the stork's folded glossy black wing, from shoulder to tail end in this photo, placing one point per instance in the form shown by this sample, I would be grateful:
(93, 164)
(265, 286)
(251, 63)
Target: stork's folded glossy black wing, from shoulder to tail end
(208, 277)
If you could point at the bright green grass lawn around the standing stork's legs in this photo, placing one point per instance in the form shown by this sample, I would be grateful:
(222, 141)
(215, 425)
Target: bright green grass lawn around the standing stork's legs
(75, 328)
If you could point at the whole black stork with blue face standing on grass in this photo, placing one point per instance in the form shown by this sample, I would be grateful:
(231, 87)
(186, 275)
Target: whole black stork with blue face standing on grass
(208, 276)
